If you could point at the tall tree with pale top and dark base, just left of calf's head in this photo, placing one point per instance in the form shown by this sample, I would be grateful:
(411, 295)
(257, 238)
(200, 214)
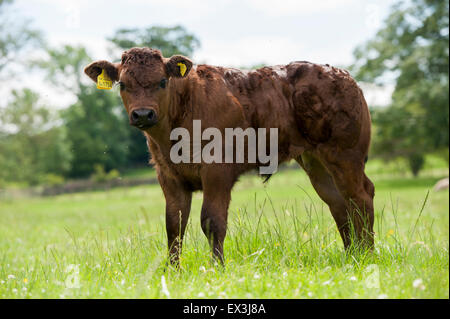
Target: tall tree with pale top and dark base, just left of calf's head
(96, 122)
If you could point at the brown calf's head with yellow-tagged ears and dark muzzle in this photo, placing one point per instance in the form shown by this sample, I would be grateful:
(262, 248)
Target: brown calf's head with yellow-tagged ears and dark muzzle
(144, 76)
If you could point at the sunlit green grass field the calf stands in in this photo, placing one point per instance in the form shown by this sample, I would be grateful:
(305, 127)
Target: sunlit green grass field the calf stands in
(281, 243)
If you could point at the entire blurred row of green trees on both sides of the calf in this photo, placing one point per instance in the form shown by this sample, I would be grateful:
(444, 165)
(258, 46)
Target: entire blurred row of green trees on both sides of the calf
(39, 144)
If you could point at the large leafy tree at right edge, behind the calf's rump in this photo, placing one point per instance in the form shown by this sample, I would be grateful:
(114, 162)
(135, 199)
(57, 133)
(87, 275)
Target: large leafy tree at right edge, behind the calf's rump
(412, 48)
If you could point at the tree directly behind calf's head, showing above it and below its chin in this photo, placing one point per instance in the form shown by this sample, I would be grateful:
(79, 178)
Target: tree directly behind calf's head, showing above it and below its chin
(171, 41)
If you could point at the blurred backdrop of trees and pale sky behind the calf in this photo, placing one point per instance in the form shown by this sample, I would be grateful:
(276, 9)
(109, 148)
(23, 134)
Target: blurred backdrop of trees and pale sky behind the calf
(58, 133)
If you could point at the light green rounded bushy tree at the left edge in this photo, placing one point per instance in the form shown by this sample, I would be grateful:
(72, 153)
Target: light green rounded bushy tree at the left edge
(31, 146)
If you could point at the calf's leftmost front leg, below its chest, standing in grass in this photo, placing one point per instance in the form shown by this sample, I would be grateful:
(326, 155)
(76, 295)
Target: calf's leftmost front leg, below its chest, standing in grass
(178, 207)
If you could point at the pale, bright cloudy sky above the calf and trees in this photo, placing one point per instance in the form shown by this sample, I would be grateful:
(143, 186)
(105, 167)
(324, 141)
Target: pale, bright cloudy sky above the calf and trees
(234, 33)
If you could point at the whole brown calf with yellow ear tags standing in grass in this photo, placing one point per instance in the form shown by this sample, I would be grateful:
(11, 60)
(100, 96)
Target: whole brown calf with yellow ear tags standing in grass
(322, 119)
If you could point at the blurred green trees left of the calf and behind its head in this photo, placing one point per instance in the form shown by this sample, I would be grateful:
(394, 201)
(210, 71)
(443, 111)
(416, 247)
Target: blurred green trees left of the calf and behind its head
(38, 145)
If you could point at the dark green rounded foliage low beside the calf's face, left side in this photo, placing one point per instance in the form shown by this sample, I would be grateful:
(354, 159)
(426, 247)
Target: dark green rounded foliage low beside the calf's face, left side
(98, 132)
